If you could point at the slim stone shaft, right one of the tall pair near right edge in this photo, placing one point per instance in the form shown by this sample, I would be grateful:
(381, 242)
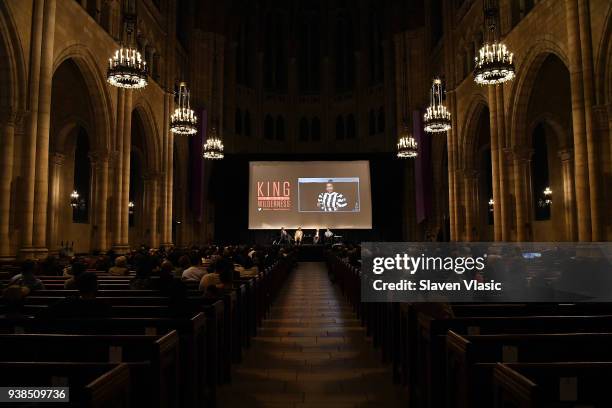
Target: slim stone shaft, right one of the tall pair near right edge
(594, 167)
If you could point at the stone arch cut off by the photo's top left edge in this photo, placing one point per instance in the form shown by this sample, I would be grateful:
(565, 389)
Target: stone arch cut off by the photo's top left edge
(13, 71)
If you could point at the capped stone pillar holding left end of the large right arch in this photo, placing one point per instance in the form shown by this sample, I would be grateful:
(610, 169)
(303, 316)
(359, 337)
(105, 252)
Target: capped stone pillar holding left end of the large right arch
(522, 162)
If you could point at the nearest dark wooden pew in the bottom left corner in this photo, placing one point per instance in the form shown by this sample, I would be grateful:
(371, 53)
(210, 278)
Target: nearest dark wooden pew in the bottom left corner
(91, 385)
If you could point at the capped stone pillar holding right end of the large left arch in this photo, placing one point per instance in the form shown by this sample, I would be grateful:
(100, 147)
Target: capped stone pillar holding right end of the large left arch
(100, 164)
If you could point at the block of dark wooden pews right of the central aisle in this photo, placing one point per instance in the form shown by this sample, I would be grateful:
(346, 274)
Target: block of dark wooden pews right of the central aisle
(474, 355)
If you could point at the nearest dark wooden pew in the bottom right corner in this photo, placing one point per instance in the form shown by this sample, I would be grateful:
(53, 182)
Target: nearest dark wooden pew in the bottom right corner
(548, 385)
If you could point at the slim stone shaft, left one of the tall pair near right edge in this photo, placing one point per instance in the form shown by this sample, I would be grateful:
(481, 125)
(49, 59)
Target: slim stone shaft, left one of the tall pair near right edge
(581, 168)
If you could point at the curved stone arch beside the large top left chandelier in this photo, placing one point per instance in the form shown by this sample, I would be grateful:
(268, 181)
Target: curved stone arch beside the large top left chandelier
(101, 102)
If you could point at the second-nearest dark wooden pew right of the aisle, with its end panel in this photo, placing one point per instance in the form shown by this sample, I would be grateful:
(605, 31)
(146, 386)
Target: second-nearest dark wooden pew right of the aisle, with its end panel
(471, 359)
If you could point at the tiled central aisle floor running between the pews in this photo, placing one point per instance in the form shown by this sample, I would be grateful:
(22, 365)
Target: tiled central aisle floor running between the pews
(311, 352)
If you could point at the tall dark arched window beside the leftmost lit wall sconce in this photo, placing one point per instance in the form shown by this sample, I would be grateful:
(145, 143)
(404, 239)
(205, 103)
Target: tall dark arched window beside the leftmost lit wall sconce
(82, 178)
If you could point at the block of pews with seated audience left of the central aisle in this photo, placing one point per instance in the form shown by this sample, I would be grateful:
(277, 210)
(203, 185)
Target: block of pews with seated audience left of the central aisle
(148, 338)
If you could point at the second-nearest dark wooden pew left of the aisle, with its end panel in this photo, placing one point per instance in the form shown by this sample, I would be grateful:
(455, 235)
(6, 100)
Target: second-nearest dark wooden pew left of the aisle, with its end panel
(160, 351)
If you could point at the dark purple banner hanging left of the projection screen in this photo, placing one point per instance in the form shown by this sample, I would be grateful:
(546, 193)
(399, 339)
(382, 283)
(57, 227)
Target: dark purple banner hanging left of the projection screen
(196, 165)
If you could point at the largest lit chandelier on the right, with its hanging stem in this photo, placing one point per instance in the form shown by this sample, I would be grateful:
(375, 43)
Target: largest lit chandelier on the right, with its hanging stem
(494, 63)
